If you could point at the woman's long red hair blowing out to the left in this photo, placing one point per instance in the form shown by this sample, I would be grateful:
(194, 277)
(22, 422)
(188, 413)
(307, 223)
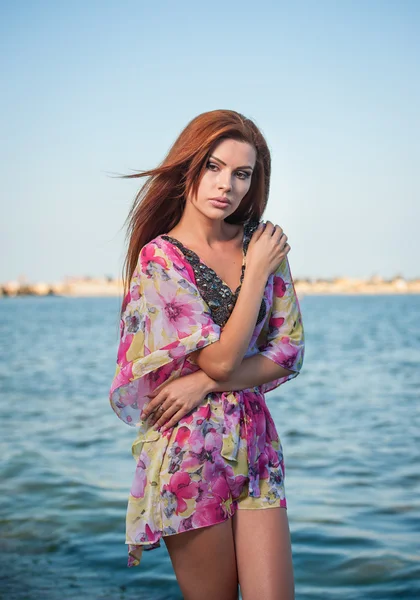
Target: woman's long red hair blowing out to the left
(159, 204)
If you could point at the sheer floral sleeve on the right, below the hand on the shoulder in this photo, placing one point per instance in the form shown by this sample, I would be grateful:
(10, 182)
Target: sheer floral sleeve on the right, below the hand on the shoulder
(285, 343)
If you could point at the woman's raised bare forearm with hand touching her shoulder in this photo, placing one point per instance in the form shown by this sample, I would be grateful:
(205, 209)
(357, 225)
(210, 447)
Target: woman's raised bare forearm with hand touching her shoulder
(266, 250)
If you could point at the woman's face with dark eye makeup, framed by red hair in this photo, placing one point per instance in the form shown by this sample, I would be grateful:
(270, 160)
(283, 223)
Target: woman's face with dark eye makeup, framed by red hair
(228, 175)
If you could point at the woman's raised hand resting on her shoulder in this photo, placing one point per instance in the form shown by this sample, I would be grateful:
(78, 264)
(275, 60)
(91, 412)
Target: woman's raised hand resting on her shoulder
(267, 249)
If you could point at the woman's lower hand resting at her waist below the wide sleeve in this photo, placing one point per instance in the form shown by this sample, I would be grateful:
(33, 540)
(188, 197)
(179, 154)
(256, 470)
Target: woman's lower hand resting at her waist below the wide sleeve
(173, 400)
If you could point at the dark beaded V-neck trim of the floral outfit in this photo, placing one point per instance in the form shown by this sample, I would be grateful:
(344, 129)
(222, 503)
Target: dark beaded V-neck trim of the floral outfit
(219, 297)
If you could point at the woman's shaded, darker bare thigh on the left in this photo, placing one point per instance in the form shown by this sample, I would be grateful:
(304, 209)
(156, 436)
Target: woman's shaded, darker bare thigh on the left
(204, 562)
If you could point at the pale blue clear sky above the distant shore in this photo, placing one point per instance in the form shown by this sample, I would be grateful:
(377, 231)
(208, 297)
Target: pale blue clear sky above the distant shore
(94, 89)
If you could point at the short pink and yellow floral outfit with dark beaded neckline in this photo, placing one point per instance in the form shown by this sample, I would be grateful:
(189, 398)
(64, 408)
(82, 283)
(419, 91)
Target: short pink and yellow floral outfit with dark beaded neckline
(196, 473)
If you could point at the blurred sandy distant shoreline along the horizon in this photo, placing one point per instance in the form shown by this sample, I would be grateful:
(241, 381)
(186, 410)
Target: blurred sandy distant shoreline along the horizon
(106, 286)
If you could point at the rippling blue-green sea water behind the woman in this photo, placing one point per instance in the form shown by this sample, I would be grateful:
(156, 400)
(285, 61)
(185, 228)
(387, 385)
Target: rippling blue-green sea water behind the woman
(349, 425)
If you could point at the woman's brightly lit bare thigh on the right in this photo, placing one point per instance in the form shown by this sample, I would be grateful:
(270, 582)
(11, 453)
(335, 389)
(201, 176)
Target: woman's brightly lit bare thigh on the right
(263, 553)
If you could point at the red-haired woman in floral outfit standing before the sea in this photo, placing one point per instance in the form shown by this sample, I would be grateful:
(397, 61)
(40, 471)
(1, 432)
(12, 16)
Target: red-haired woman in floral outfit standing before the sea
(210, 321)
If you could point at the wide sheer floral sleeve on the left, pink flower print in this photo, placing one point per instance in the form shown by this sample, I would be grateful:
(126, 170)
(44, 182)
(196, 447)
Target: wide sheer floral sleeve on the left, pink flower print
(164, 319)
